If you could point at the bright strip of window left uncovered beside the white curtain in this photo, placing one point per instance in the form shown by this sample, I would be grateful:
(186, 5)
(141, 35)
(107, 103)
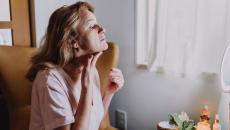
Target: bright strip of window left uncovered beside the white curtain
(144, 21)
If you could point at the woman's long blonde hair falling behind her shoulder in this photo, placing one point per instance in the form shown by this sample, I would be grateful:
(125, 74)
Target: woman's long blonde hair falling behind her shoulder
(61, 31)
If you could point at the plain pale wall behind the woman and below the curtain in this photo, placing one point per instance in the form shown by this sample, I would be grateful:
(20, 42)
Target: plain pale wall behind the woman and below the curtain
(147, 97)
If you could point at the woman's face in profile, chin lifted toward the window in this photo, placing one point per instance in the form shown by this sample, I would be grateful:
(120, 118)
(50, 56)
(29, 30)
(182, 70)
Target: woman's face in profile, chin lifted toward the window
(92, 36)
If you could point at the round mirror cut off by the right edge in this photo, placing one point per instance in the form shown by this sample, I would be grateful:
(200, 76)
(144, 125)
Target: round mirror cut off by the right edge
(225, 70)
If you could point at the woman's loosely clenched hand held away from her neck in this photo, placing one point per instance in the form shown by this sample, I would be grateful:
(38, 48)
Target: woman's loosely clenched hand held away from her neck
(116, 80)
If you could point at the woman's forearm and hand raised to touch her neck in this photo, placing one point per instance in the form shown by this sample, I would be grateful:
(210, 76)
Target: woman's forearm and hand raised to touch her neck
(82, 116)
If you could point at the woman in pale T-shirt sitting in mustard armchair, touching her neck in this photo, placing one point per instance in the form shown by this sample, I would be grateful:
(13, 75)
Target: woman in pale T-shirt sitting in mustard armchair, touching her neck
(65, 92)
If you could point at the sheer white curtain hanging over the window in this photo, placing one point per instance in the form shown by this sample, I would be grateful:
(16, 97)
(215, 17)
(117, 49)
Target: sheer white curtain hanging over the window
(187, 37)
